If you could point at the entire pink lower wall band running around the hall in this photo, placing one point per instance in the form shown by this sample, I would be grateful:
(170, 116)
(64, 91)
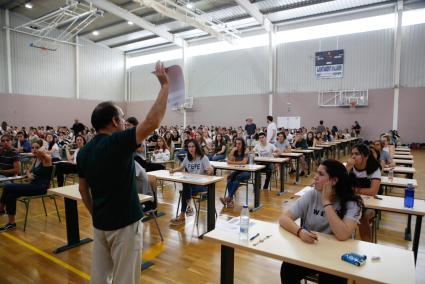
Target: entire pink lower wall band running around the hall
(232, 111)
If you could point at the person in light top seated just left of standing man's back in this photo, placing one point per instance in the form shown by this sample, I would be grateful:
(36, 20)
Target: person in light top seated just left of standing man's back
(70, 165)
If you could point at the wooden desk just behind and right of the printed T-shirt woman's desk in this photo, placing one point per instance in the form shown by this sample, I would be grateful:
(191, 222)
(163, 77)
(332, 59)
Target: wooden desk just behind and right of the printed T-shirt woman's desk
(245, 168)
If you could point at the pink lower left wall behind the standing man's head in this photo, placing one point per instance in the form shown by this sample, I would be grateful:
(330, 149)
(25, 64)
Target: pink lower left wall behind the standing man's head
(23, 110)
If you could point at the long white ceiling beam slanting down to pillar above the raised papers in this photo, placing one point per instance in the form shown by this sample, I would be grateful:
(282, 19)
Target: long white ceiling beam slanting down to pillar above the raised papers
(126, 15)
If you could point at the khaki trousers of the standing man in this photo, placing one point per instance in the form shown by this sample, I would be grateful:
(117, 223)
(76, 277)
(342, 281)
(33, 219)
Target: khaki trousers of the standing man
(116, 255)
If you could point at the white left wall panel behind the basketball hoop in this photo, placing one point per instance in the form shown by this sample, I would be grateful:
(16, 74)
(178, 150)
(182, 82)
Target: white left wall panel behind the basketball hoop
(37, 73)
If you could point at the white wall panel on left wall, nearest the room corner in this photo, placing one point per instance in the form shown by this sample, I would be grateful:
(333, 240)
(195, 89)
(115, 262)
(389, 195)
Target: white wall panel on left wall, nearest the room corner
(101, 72)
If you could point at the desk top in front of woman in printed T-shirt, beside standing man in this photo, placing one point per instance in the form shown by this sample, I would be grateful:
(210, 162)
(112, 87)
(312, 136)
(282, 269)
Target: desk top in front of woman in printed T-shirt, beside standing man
(185, 177)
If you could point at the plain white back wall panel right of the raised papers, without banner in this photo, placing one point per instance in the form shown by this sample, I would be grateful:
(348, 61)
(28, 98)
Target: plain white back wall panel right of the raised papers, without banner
(242, 72)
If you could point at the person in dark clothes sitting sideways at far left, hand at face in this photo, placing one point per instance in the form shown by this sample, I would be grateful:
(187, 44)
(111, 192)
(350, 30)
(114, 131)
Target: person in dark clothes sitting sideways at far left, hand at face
(39, 176)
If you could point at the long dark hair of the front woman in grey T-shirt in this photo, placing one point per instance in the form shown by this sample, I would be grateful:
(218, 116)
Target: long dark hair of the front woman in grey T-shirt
(344, 188)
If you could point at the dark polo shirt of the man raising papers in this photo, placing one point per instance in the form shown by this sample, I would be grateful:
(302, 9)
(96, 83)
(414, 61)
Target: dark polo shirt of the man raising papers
(106, 162)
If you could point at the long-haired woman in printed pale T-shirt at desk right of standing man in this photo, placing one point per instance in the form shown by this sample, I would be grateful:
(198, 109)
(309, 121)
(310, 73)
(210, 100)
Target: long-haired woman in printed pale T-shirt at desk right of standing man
(196, 162)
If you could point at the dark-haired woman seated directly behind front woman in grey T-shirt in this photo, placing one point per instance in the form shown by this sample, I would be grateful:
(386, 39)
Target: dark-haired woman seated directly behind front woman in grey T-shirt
(364, 169)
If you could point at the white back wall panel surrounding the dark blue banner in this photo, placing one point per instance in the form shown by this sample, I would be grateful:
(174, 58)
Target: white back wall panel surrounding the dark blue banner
(367, 63)
